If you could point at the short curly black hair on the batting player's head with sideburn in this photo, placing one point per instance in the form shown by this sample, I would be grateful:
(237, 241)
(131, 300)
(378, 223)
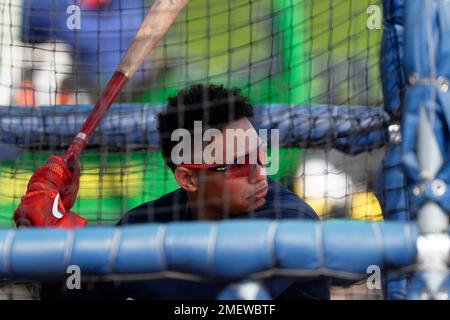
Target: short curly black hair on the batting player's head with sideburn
(214, 105)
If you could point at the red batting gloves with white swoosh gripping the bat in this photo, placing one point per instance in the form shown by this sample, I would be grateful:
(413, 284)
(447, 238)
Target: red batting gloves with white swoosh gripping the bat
(51, 193)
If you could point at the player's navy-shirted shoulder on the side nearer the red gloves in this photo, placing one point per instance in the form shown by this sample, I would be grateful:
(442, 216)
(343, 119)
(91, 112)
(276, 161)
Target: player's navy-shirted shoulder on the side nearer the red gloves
(164, 209)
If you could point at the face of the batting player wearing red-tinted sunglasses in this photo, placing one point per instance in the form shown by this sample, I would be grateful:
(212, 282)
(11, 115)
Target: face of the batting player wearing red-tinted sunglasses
(234, 194)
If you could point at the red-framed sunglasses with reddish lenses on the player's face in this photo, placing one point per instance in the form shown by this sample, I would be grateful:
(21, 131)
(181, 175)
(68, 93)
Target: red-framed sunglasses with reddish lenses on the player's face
(242, 167)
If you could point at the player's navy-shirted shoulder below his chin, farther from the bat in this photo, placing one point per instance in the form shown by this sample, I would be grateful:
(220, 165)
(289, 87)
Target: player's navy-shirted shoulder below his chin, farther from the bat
(287, 204)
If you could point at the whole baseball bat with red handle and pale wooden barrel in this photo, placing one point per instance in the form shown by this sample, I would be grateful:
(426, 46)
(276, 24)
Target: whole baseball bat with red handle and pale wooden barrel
(160, 17)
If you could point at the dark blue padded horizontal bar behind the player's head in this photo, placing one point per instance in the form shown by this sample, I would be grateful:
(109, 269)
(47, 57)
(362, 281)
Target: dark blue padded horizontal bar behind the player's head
(351, 129)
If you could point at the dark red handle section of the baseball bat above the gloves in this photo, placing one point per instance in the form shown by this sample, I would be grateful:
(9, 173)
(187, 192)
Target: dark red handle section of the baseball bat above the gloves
(112, 90)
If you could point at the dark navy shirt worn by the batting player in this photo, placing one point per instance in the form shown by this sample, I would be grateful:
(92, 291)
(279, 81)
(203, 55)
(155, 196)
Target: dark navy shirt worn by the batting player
(280, 203)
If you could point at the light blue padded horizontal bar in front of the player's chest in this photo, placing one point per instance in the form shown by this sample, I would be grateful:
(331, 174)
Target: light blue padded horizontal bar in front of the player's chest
(225, 250)
